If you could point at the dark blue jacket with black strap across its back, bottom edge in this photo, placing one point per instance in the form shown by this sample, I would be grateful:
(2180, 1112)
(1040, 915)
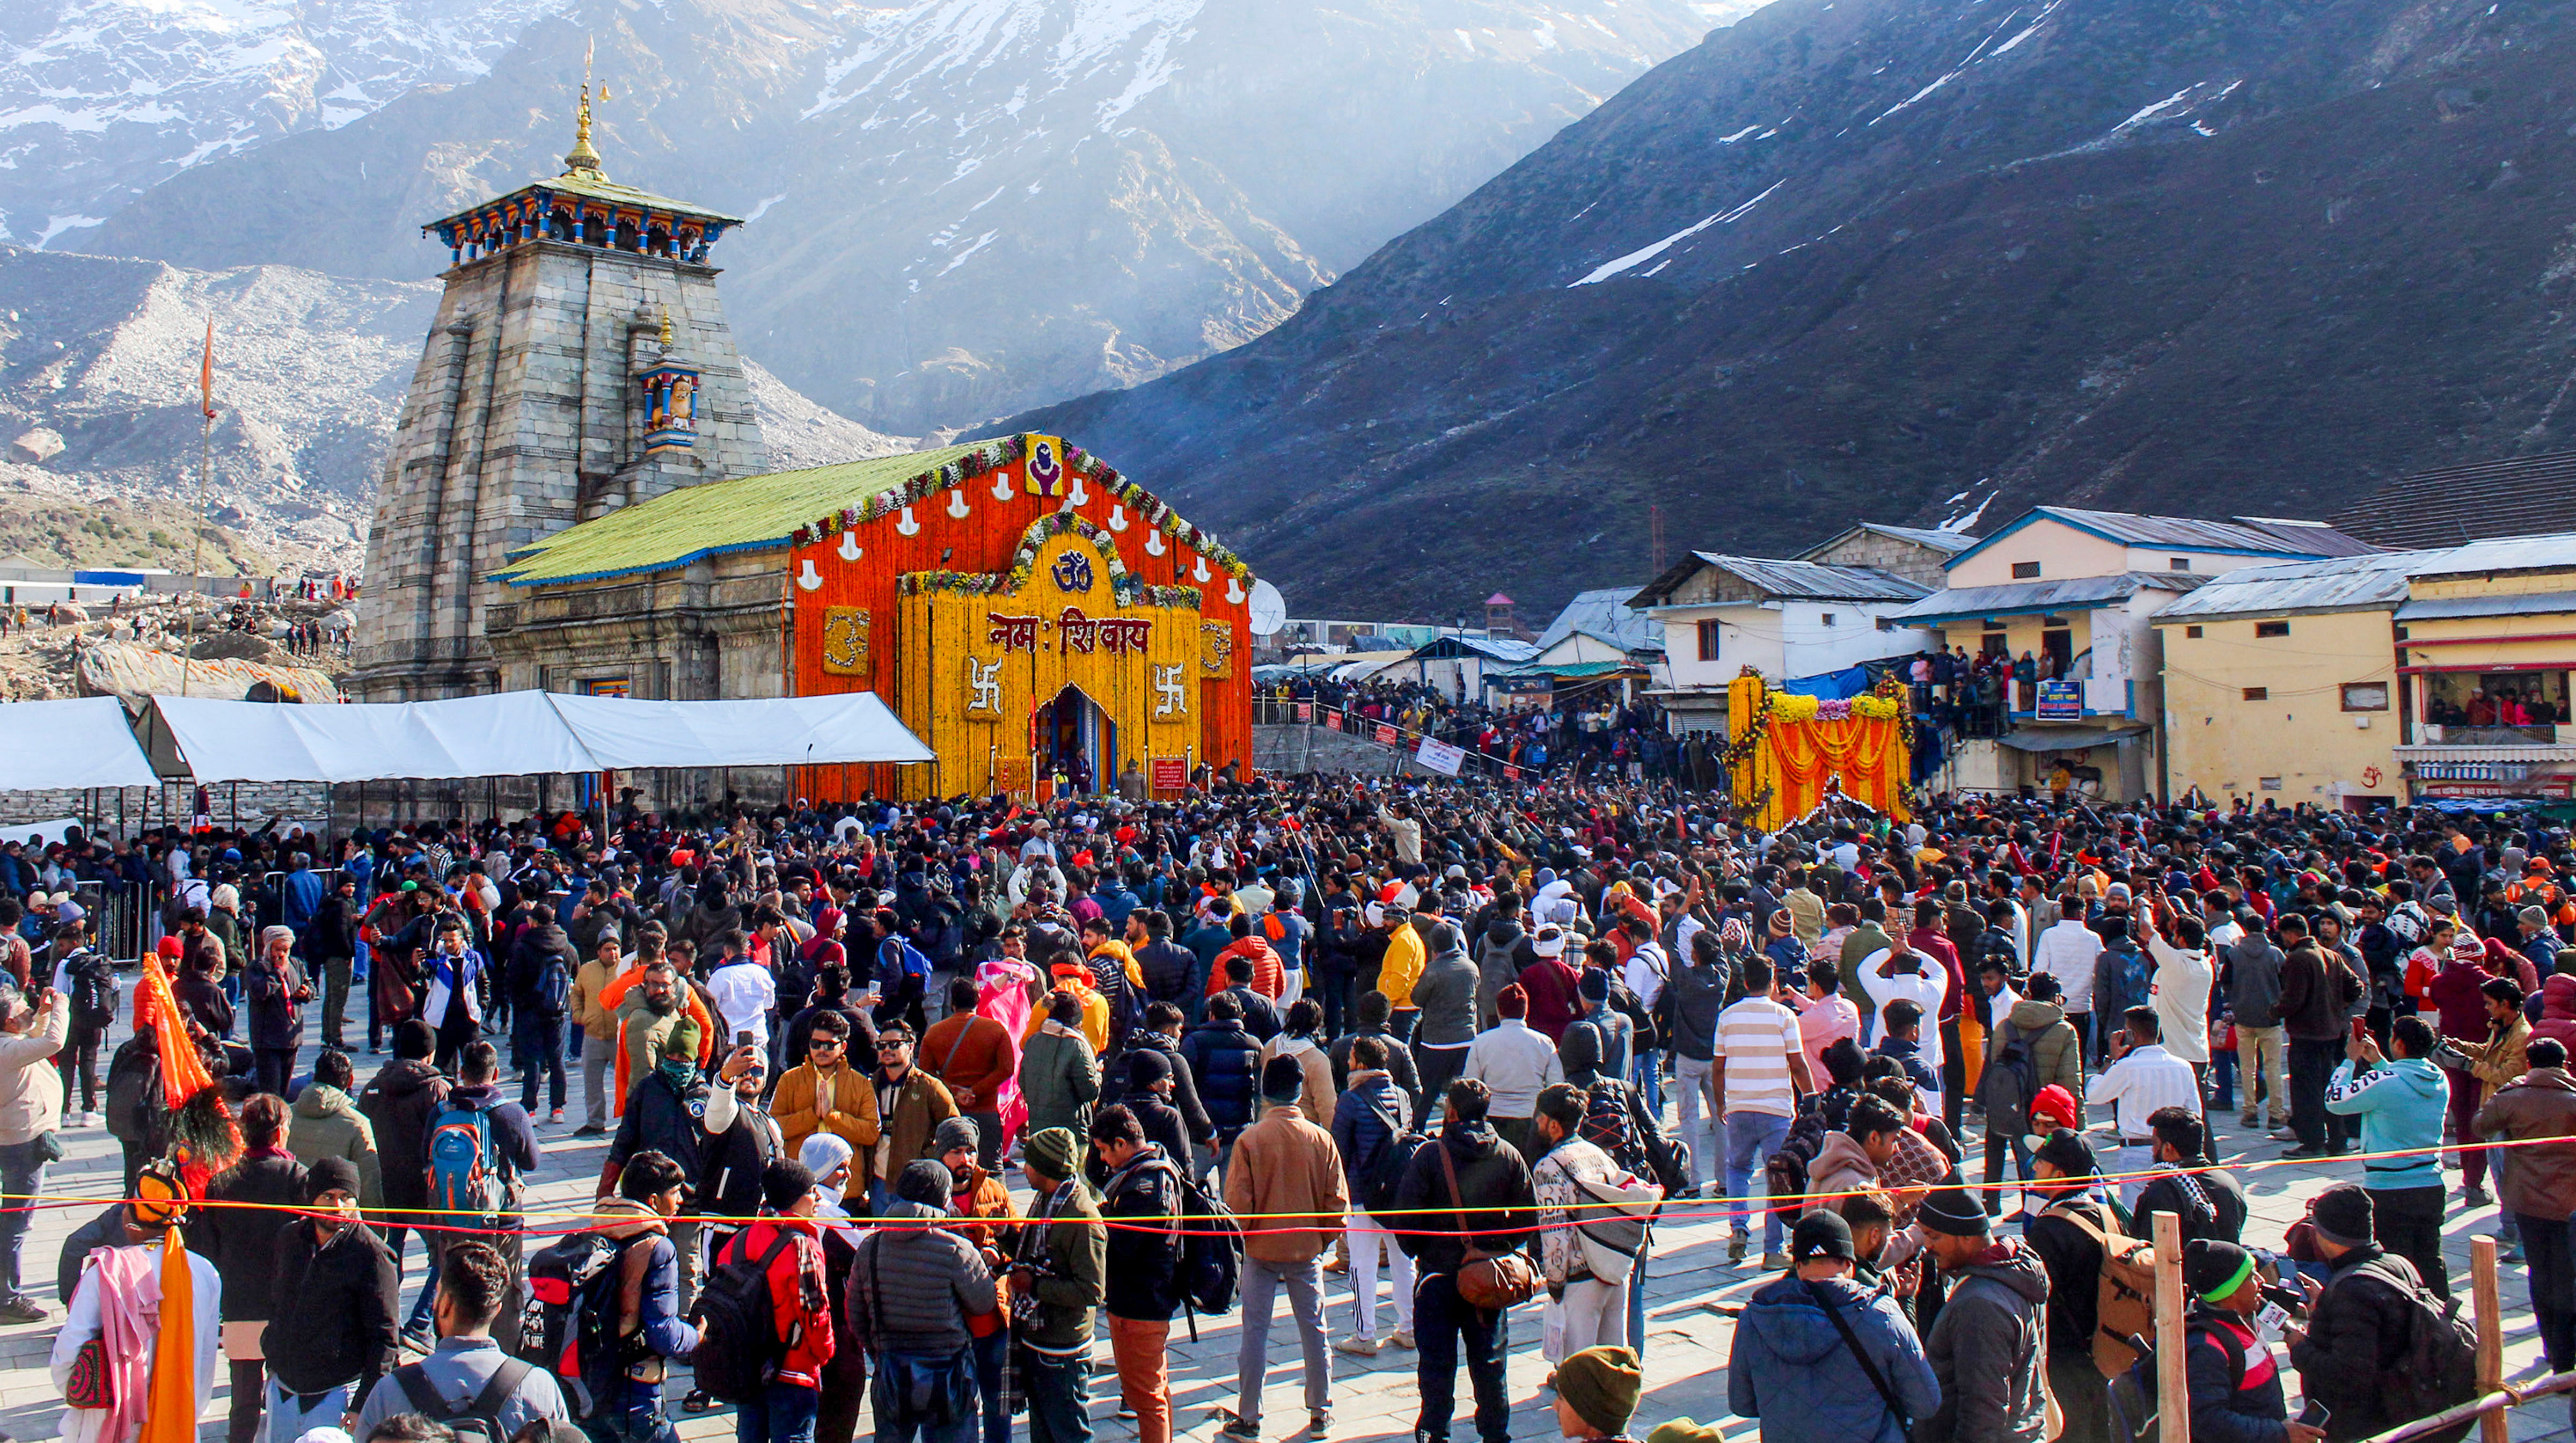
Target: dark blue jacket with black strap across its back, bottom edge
(1794, 1372)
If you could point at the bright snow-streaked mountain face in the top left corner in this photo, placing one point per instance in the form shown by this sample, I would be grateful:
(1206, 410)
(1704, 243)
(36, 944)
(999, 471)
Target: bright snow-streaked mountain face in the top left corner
(104, 99)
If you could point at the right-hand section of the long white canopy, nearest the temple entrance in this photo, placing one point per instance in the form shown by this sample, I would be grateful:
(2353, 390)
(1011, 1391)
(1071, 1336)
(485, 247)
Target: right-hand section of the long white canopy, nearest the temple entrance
(782, 731)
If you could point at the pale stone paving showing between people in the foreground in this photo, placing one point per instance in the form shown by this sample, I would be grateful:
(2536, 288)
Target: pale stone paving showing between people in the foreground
(1686, 1333)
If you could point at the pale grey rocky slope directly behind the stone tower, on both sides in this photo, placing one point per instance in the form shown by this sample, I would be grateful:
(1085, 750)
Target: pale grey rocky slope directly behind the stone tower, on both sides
(99, 411)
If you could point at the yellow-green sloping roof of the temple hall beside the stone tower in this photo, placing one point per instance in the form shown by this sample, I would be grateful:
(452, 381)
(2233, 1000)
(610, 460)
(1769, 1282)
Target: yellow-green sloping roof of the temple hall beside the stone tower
(743, 514)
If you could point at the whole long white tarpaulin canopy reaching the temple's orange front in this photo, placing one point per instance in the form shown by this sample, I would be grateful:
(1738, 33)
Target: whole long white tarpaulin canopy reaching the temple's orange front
(524, 733)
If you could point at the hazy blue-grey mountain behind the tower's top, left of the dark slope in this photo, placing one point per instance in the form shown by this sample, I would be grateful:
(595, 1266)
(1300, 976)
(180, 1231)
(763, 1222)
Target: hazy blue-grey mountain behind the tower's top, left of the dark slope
(962, 207)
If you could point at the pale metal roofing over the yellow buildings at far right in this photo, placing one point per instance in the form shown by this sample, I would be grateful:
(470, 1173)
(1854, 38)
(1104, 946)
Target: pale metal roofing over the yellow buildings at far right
(2382, 581)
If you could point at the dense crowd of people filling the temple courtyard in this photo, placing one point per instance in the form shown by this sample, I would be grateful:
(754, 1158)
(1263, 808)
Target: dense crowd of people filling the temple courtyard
(903, 1109)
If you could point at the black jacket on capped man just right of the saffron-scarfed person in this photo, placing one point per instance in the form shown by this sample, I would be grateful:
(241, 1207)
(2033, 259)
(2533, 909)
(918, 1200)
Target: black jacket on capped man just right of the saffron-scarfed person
(334, 1310)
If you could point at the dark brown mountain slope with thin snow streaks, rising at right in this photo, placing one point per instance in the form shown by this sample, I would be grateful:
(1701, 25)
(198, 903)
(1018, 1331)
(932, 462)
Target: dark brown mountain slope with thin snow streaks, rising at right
(1915, 262)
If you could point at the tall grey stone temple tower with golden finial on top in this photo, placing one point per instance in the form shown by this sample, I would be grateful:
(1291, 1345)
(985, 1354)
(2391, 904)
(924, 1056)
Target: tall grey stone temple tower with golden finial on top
(578, 365)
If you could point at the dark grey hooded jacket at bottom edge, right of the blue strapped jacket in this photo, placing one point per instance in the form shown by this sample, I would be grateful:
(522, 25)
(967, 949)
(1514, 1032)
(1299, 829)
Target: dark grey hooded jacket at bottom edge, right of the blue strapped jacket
(1985, 1352)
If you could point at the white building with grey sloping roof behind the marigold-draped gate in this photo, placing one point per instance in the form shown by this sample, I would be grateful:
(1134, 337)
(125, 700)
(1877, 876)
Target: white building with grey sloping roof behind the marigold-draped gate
(1784, 620)
